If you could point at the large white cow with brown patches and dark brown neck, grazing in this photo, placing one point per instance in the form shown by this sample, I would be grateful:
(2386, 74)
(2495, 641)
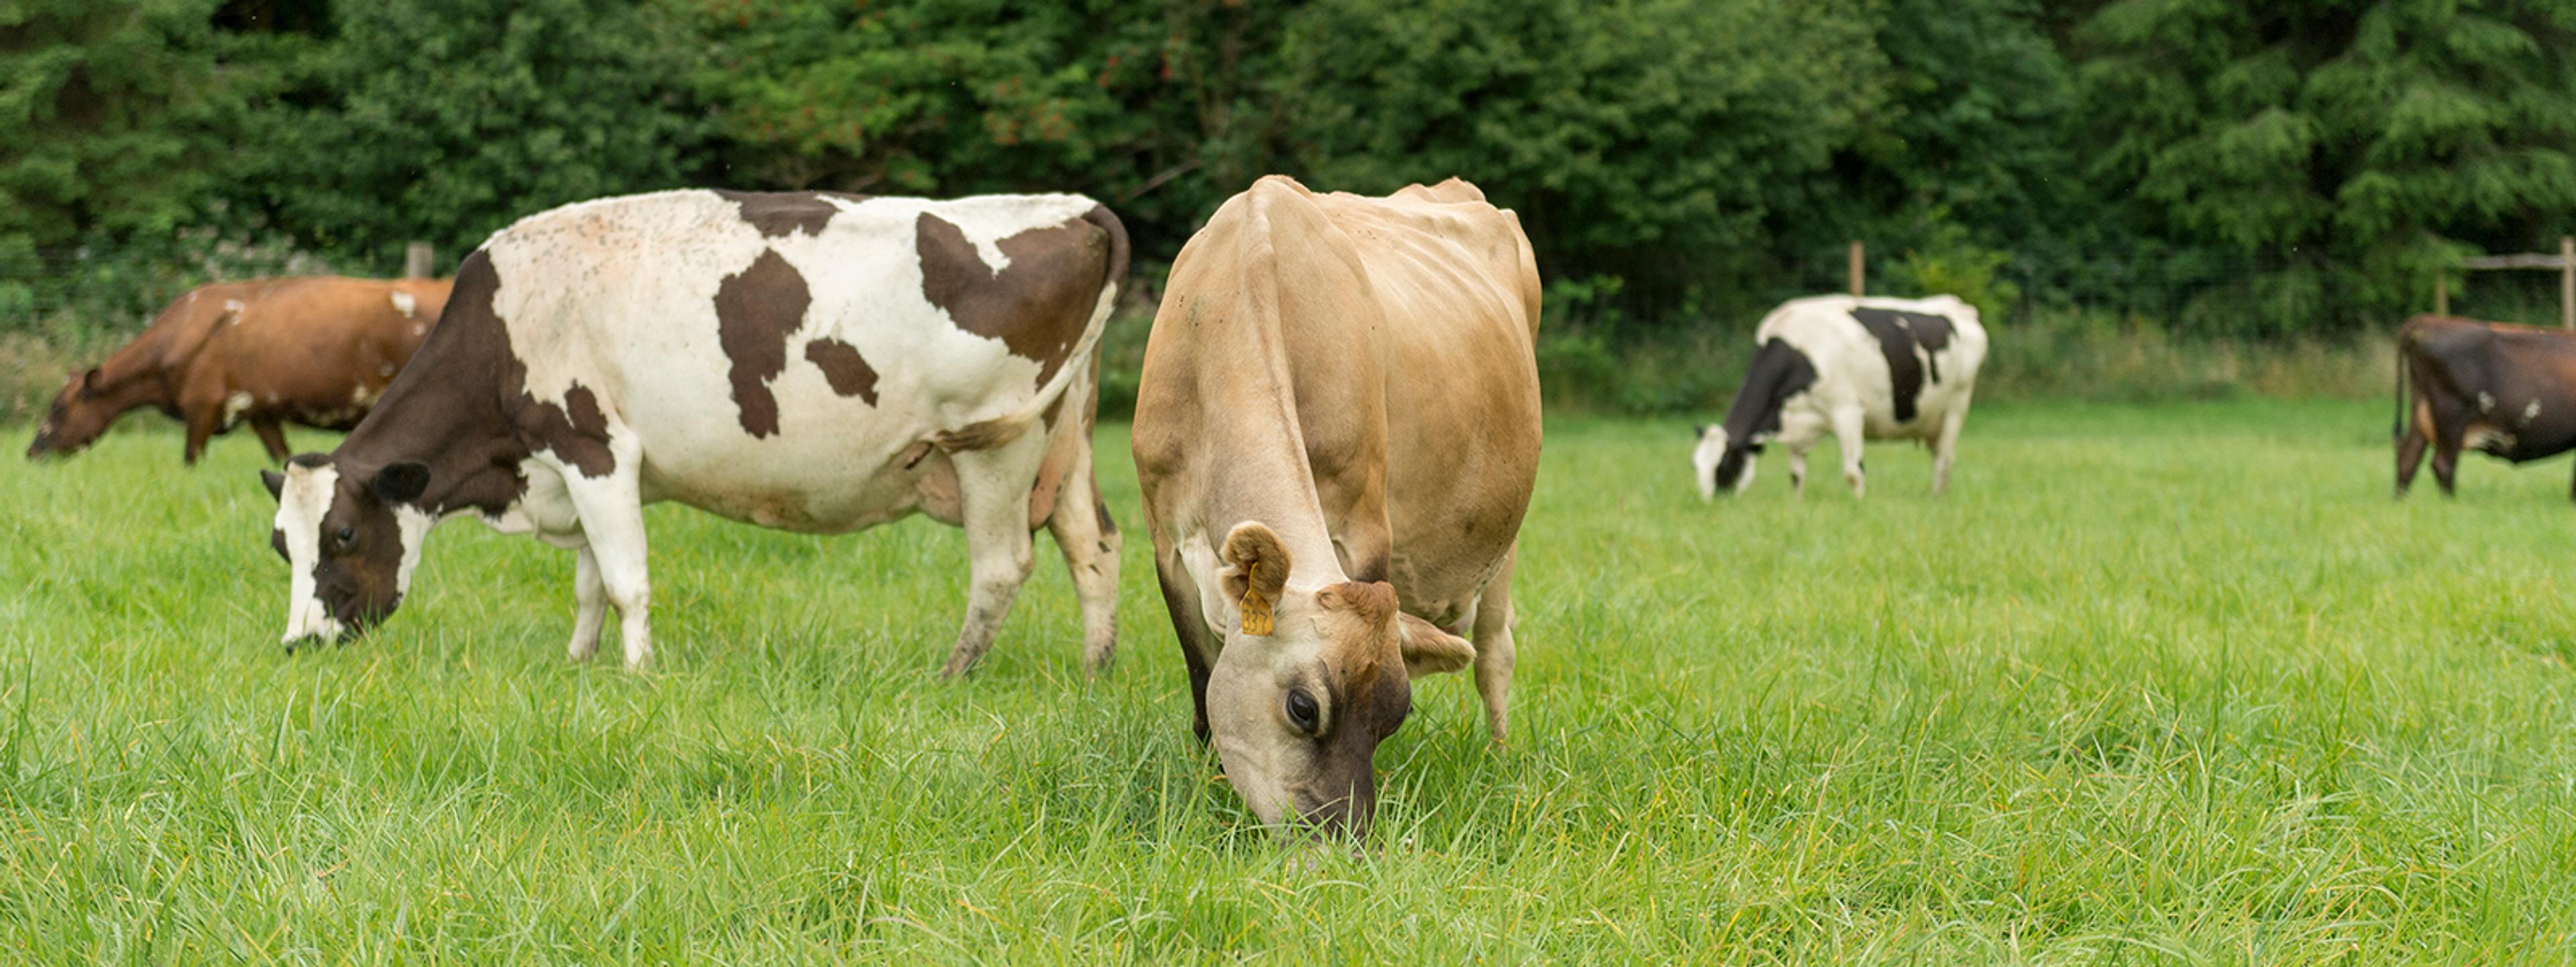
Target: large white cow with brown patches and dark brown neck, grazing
(802, 362)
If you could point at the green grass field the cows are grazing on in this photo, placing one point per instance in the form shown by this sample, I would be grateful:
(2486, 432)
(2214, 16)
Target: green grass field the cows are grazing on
(2152, 685)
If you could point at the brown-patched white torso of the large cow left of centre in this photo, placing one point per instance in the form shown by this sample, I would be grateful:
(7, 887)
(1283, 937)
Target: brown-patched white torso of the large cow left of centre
(774, 355)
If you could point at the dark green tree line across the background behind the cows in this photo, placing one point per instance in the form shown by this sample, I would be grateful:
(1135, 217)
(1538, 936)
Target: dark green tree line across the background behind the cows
(1676, 161)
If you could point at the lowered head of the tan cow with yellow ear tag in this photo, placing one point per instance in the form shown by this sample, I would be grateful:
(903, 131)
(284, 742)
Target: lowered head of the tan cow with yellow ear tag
(1310, 682)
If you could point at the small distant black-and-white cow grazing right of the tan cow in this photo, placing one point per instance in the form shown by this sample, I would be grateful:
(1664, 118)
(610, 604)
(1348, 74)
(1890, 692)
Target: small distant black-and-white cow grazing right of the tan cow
(1851, 367)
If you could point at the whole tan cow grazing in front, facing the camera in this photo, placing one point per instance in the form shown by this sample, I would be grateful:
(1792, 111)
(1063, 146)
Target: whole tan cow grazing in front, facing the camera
(1338, 437)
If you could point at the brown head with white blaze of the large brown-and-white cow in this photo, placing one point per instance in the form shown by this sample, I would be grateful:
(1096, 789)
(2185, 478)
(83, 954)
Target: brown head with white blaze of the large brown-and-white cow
(352, 540)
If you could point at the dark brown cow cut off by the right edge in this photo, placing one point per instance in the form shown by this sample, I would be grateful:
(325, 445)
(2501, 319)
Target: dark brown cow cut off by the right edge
(2508, 391)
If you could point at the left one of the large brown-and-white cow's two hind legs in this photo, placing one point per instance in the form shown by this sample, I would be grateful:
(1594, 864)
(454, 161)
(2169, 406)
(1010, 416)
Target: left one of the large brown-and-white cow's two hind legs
(993, 489)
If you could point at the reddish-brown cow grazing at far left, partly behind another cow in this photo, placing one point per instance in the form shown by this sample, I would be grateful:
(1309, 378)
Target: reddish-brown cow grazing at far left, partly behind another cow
(269, 352)
